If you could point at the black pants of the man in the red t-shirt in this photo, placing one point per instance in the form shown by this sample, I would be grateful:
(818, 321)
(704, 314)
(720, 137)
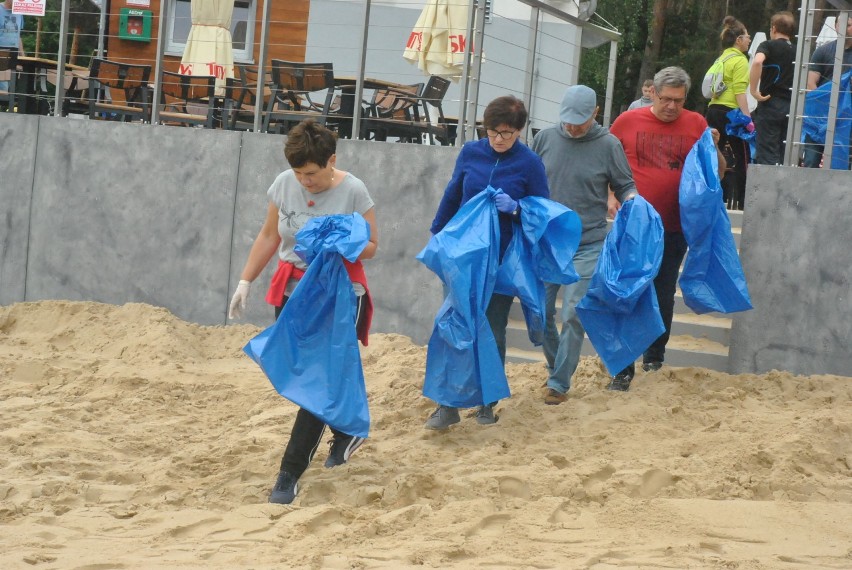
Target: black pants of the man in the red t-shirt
(674, 250)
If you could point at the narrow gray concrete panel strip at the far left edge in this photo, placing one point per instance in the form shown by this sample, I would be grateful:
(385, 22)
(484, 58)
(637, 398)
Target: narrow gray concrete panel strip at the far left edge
(18, 137)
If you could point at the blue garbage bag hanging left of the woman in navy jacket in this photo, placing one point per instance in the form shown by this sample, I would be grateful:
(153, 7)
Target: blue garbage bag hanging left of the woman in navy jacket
(463, 366)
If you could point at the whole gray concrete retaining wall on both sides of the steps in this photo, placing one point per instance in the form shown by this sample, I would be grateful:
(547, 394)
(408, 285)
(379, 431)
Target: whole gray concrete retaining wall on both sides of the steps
(118, 213)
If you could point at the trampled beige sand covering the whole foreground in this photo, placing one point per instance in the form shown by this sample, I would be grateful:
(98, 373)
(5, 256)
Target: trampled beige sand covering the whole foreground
(132, 439)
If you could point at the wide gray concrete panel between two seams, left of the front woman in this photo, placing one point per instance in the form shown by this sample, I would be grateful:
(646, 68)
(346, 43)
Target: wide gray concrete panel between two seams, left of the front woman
(133, 213)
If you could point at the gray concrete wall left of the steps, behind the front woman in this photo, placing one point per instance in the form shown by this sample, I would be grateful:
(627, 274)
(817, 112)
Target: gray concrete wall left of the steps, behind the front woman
(120, 213)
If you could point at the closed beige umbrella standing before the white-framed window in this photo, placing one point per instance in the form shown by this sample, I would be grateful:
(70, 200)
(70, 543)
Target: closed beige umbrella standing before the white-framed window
(209, 49)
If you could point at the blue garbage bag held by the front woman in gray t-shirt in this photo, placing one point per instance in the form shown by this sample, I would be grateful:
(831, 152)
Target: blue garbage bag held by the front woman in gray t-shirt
(310, 354)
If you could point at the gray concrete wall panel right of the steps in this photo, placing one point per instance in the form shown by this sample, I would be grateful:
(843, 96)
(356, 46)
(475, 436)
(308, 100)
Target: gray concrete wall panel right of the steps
(798, 263)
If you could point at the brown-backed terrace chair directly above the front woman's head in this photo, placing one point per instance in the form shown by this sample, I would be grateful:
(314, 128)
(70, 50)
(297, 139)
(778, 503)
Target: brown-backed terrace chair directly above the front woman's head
(294, 87)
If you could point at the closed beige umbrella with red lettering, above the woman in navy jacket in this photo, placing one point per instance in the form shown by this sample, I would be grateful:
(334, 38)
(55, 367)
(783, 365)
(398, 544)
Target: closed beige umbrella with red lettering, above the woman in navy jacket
(438, 42)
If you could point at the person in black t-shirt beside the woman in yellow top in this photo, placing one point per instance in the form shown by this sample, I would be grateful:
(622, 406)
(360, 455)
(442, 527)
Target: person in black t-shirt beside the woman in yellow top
(770, 83)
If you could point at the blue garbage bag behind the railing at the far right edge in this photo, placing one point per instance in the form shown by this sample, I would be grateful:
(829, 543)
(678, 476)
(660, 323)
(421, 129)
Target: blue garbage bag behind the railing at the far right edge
(815, 121)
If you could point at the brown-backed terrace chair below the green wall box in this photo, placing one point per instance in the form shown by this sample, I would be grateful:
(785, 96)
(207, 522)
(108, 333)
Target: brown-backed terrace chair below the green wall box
(129, 80)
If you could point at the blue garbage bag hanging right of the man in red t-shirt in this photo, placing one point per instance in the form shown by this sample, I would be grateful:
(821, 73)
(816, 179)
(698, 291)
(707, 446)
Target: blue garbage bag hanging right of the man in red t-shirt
(712, 278)
